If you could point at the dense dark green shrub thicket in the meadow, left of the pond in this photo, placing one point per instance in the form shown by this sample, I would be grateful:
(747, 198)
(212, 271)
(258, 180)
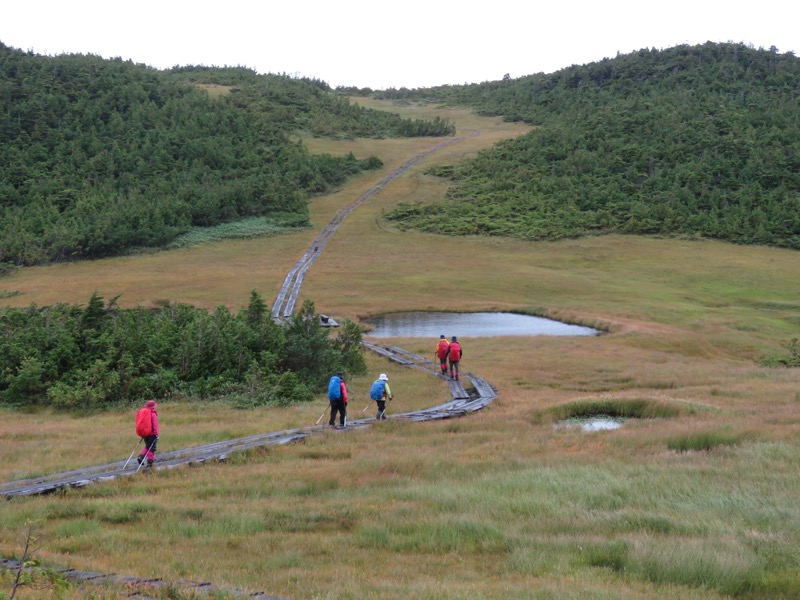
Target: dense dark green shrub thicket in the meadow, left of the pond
(67, 357)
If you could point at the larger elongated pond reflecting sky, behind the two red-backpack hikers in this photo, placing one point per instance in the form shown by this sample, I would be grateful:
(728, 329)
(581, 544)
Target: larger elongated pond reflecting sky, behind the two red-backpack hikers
(482, 324)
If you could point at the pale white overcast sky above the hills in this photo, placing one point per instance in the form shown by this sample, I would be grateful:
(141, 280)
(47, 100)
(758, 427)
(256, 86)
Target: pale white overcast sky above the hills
(380, 44)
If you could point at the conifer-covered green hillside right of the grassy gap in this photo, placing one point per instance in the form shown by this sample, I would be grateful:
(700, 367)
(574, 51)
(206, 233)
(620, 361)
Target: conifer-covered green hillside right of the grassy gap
(691, 141)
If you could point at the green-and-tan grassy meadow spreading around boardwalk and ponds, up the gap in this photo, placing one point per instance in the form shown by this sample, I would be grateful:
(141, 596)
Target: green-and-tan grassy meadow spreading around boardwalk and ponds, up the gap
(502, 504)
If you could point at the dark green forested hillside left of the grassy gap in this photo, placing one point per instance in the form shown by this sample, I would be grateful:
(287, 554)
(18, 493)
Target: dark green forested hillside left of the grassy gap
(99, 156)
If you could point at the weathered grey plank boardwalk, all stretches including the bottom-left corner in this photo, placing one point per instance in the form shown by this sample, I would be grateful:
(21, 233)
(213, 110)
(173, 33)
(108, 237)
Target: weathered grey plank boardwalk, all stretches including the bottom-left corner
(463, 402)
